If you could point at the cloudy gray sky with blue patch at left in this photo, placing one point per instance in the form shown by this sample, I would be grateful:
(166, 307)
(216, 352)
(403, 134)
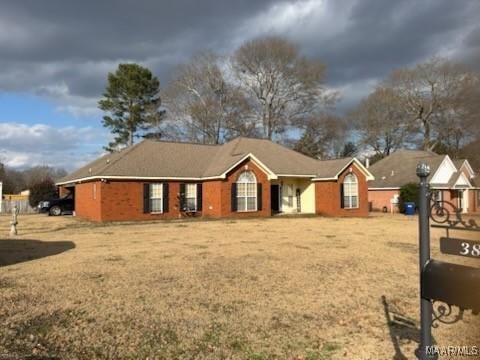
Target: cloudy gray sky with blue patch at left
(55, 54)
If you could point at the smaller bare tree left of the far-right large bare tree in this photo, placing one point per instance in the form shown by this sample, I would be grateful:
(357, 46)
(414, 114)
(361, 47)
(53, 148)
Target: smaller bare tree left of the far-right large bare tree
(380, 122)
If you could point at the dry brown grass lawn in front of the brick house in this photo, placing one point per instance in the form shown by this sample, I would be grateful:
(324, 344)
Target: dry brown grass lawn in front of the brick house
(291, 288)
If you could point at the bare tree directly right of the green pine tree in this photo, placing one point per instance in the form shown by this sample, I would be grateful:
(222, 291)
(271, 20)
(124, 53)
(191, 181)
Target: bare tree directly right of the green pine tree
(200, 99)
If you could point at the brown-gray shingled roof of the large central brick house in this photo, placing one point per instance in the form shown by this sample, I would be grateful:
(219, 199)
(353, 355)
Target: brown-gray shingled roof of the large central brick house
(186, 160)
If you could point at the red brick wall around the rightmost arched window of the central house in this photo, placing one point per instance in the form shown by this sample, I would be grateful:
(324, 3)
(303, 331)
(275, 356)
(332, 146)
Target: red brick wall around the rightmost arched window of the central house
(327, 196)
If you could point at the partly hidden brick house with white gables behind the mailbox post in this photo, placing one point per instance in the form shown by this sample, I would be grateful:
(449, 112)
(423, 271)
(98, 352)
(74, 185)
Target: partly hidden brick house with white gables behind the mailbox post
(450, 180)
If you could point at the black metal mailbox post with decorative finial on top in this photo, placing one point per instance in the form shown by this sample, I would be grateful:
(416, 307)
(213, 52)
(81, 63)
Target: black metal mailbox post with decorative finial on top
(423, 170)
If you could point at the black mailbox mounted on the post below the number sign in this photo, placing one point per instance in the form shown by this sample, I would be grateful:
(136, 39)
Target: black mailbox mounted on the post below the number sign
(452, 284)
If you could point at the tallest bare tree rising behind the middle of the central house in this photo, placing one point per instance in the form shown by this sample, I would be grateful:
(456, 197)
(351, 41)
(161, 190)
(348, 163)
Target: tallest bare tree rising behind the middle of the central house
(281, 85)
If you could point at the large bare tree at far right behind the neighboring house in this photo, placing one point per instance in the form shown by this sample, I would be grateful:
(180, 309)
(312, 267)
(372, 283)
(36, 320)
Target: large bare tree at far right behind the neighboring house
(434, 96)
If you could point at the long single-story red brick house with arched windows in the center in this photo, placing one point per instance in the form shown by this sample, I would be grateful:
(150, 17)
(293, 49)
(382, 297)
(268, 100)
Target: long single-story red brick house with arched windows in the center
(244, 177)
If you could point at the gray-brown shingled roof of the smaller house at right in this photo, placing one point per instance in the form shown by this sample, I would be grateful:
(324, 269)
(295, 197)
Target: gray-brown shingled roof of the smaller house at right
(399, 168)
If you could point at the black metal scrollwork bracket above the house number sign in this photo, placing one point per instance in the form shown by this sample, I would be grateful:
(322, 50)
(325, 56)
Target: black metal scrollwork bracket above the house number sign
(447, 214)
